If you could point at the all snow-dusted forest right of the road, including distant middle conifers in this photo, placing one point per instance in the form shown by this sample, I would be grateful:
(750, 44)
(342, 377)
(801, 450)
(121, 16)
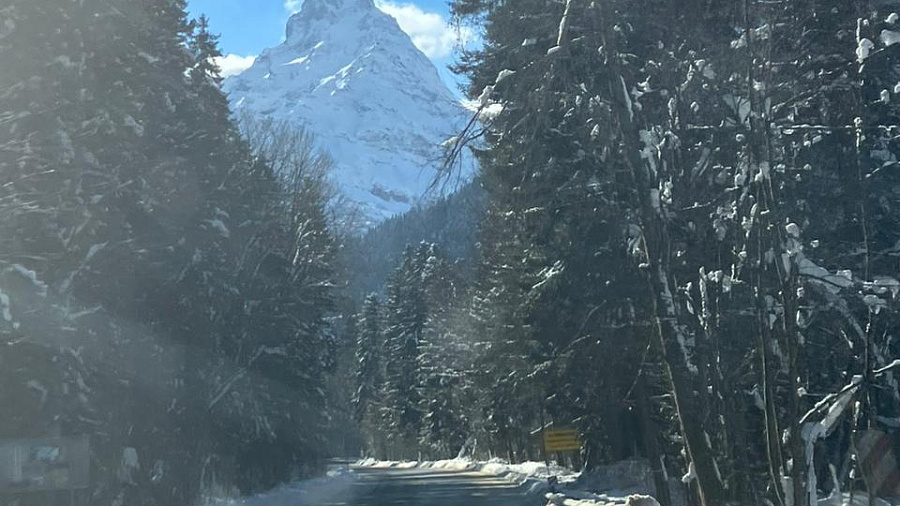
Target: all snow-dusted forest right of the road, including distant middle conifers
(689, 253)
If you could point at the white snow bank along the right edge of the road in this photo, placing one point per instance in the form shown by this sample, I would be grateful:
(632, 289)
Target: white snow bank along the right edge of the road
(532, 476)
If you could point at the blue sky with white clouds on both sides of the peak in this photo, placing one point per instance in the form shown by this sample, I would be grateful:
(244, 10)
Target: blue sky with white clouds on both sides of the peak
(249, 26)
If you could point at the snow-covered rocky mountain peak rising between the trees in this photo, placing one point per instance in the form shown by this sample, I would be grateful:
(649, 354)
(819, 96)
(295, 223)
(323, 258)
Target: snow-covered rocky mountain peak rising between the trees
(350, 75)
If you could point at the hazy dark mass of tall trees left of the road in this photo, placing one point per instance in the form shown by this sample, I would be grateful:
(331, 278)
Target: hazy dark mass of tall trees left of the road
(162, 290)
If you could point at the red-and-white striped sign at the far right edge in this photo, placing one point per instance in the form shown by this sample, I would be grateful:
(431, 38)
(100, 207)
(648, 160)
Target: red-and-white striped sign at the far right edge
(875, 453)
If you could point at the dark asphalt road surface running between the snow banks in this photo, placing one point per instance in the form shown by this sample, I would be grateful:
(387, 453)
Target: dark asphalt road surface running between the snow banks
(423, 487)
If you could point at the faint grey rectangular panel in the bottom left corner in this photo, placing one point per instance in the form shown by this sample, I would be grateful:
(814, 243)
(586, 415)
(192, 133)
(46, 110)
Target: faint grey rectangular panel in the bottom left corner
(37, 465)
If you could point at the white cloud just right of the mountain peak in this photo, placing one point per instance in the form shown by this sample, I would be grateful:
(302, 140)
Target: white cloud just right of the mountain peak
(430, 32)
